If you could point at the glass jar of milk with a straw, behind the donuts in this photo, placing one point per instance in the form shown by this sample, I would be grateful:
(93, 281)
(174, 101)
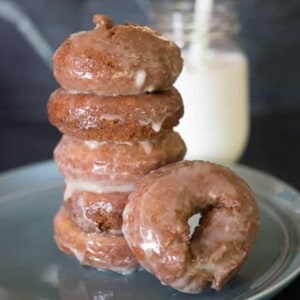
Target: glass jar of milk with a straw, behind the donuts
(213, 83)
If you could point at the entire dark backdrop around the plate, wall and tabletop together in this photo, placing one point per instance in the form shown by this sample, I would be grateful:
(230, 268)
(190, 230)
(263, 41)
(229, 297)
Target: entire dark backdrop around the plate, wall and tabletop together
(270, 31)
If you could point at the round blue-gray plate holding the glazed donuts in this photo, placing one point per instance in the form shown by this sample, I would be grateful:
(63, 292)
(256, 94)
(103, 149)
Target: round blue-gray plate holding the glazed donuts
(32, 268)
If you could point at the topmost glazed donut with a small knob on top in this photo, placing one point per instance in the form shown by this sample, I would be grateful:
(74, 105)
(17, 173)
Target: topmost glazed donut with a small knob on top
(112, 60)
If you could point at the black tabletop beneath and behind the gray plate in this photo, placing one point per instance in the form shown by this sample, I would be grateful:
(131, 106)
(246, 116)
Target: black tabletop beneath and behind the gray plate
(274, 147)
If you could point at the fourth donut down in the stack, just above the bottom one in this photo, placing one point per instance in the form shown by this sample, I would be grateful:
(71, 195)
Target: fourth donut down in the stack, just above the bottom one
(94, 212)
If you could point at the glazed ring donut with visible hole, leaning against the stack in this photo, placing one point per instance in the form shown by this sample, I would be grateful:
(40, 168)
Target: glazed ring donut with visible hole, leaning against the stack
(155, 224)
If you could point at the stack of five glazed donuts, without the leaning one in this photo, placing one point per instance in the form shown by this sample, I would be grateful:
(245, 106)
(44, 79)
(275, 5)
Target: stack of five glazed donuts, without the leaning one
(116, 109)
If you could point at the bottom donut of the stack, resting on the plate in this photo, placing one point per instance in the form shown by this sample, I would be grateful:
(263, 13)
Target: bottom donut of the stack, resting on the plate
(97, 250)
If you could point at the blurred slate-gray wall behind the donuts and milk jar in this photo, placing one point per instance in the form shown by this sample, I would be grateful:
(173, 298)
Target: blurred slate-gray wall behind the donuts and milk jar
(269, 35)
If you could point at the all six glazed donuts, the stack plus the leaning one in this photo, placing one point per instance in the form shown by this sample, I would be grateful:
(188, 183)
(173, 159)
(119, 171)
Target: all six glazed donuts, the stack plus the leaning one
(128, 196)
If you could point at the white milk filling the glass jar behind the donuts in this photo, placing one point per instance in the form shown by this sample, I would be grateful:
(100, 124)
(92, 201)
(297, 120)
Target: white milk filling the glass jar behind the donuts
(214, 88)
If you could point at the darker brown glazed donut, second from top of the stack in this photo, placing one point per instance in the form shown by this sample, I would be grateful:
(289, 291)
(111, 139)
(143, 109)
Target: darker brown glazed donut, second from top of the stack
(120, 118)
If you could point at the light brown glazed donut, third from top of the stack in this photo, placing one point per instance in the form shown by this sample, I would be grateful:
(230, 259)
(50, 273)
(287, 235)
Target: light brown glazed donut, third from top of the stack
(116, 161)
